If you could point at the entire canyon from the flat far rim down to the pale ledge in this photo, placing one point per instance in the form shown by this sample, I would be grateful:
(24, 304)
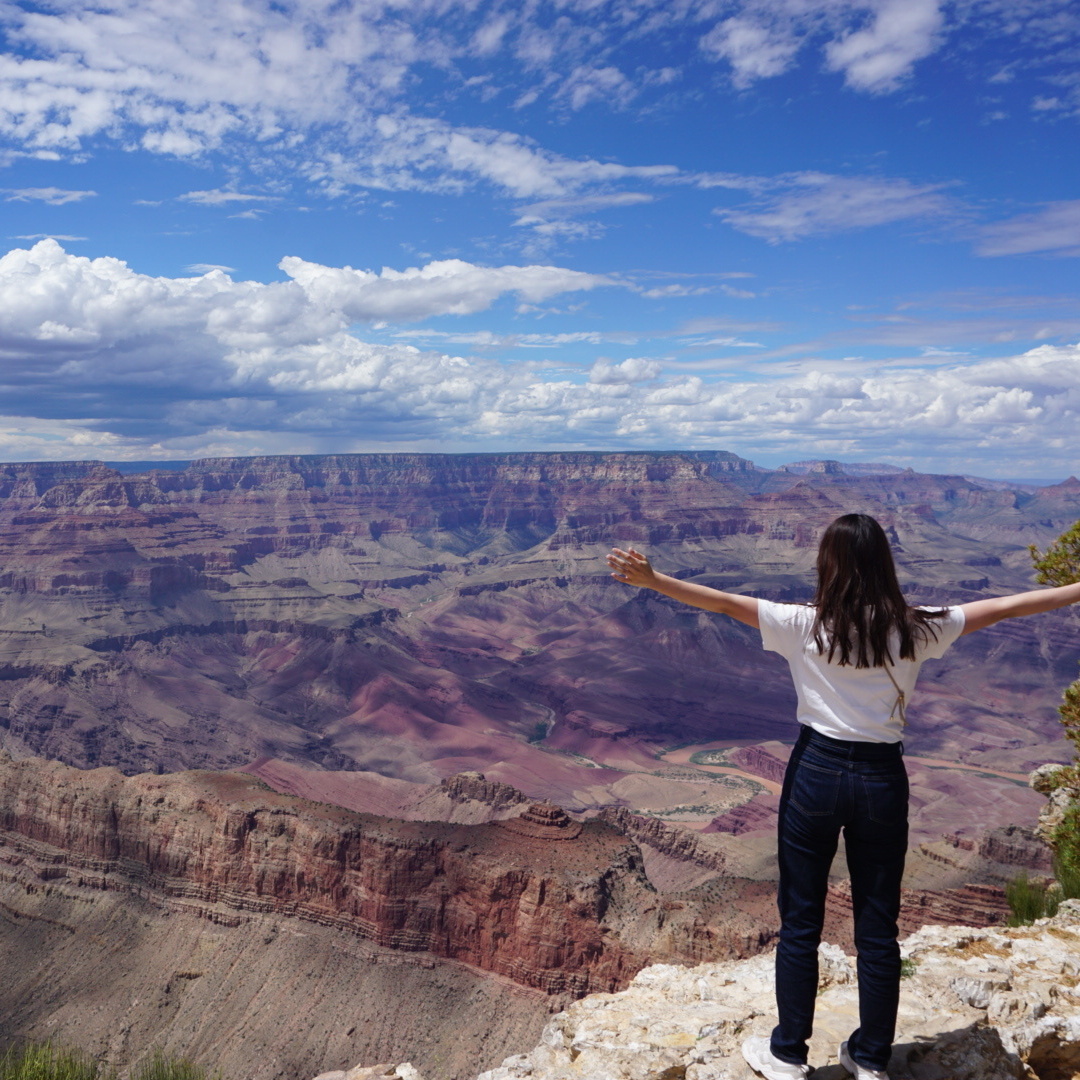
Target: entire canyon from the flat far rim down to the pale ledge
(380, 733)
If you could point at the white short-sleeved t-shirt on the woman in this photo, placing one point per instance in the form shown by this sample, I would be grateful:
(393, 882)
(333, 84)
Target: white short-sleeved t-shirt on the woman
(847, 703)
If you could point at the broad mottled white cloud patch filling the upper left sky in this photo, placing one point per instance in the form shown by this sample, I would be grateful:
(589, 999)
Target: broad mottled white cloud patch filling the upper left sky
(319, 84)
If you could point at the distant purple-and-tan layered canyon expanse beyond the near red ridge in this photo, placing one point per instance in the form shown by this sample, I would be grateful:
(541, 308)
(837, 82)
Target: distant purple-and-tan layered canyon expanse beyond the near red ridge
(423, 615)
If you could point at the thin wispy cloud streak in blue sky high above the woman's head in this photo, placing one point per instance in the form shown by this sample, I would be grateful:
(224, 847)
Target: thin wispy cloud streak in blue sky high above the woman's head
(818, 204)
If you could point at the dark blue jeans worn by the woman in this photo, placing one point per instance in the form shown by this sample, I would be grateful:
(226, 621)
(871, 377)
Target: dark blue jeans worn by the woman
(862, 789)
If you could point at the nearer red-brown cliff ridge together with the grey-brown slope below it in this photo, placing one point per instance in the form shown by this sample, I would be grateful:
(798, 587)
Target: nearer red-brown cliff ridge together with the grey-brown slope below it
(264, 935)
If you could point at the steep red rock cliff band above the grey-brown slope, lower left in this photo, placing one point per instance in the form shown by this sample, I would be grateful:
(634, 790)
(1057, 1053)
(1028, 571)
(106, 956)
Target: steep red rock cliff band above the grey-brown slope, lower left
(558, 916)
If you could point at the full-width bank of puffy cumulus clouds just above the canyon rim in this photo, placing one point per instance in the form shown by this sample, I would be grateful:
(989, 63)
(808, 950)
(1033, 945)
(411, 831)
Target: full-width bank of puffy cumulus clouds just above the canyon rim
(100, 360)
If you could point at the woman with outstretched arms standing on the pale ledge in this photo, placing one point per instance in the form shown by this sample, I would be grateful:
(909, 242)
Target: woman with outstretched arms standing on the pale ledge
(855, 655)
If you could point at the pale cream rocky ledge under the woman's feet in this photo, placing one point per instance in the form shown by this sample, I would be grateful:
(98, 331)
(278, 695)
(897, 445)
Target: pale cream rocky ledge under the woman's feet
(977, 1005)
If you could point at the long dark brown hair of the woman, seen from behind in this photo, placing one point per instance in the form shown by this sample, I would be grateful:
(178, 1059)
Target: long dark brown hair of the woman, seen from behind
(859, 603)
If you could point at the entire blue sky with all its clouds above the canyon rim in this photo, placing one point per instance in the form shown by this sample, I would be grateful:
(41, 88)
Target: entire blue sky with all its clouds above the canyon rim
(786, 228)
